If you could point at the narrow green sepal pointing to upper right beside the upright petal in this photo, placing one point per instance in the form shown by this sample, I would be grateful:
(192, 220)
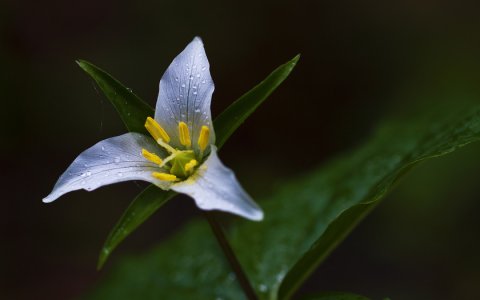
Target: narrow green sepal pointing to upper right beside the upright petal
(232, 117)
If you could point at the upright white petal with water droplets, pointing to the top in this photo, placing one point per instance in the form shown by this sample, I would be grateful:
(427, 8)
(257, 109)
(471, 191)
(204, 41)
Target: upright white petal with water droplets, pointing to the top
(185, 94)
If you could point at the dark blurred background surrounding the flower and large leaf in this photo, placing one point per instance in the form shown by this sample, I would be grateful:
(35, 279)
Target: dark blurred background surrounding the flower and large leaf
(361, 62)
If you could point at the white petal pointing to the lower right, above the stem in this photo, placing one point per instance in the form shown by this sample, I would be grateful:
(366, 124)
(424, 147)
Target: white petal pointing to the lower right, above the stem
(214, 186)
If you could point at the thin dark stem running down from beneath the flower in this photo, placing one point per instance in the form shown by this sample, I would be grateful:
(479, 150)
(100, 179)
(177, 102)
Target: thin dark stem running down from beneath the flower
(232, 259)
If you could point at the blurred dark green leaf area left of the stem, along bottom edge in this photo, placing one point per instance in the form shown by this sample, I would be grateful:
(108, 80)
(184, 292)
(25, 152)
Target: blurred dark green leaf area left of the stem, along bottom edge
(174, 271)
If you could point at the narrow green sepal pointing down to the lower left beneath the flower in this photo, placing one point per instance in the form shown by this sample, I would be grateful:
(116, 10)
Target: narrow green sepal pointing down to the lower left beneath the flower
(139, 210)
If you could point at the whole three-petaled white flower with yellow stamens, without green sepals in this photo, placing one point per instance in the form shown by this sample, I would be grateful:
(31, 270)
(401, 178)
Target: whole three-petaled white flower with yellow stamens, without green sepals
(180, 154)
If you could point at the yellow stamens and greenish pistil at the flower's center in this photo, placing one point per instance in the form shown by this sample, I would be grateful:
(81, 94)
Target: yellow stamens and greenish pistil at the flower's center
(179, 164)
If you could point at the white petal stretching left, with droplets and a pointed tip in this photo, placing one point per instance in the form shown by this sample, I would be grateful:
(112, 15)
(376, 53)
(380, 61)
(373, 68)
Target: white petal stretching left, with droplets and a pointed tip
(110, 161)
